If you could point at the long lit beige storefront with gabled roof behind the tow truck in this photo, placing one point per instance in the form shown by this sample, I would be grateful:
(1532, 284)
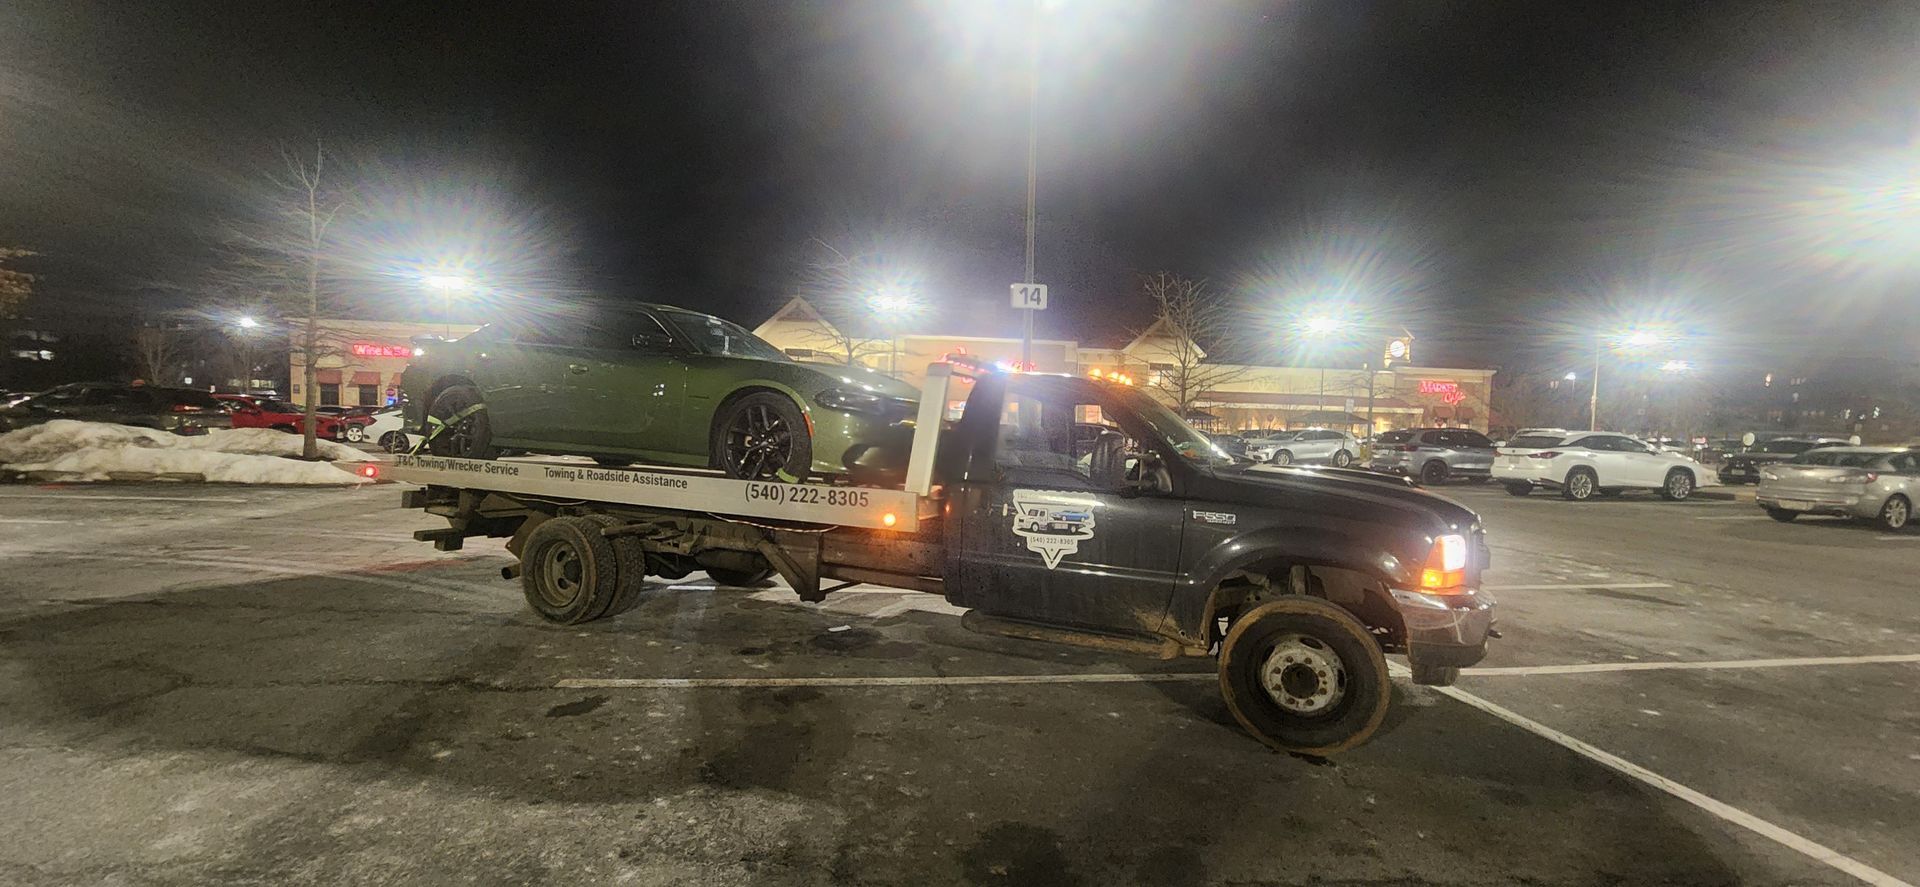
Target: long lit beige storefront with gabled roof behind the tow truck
(1230, 398)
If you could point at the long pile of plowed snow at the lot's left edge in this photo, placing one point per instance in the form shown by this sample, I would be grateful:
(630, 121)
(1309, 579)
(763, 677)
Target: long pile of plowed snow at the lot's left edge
(239, 456)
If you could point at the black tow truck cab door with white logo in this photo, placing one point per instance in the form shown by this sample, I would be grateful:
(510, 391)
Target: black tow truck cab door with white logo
(1047, 533)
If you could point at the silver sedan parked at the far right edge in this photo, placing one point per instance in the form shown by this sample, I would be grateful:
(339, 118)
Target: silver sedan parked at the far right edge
(1877, 485)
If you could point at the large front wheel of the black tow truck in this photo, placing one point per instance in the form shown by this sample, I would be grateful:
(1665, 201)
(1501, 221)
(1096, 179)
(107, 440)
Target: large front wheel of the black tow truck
(1305, 677)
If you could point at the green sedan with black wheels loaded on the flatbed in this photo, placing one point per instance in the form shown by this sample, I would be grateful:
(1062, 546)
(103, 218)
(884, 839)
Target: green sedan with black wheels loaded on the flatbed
(661, 385)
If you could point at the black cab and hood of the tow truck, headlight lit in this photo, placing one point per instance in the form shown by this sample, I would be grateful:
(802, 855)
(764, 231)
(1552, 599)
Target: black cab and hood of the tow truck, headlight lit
(1149, 531)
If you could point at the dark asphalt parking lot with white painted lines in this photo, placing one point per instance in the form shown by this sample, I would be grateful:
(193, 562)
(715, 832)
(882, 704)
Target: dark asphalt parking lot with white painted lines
(277, 686)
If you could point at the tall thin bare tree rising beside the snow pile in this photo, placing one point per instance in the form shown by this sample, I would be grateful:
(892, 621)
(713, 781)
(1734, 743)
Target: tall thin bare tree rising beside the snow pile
(283, 258)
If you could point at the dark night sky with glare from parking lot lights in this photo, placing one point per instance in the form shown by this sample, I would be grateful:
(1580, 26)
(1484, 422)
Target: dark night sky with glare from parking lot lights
(1499, 178)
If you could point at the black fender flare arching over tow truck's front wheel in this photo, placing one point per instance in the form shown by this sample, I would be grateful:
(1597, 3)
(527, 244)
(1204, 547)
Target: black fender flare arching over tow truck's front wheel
(1195, 600)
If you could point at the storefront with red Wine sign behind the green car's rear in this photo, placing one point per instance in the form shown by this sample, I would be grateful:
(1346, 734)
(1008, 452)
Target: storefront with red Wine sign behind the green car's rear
(360, 360)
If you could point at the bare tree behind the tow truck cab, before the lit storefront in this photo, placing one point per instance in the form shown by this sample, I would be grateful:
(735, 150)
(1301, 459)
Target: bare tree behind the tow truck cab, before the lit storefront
(1184, 320)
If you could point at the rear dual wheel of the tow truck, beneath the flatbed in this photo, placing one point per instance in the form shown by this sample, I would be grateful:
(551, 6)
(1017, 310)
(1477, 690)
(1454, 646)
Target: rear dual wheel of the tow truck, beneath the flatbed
(569, 571)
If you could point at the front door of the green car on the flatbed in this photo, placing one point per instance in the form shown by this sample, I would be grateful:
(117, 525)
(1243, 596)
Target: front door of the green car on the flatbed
(627, 391)
